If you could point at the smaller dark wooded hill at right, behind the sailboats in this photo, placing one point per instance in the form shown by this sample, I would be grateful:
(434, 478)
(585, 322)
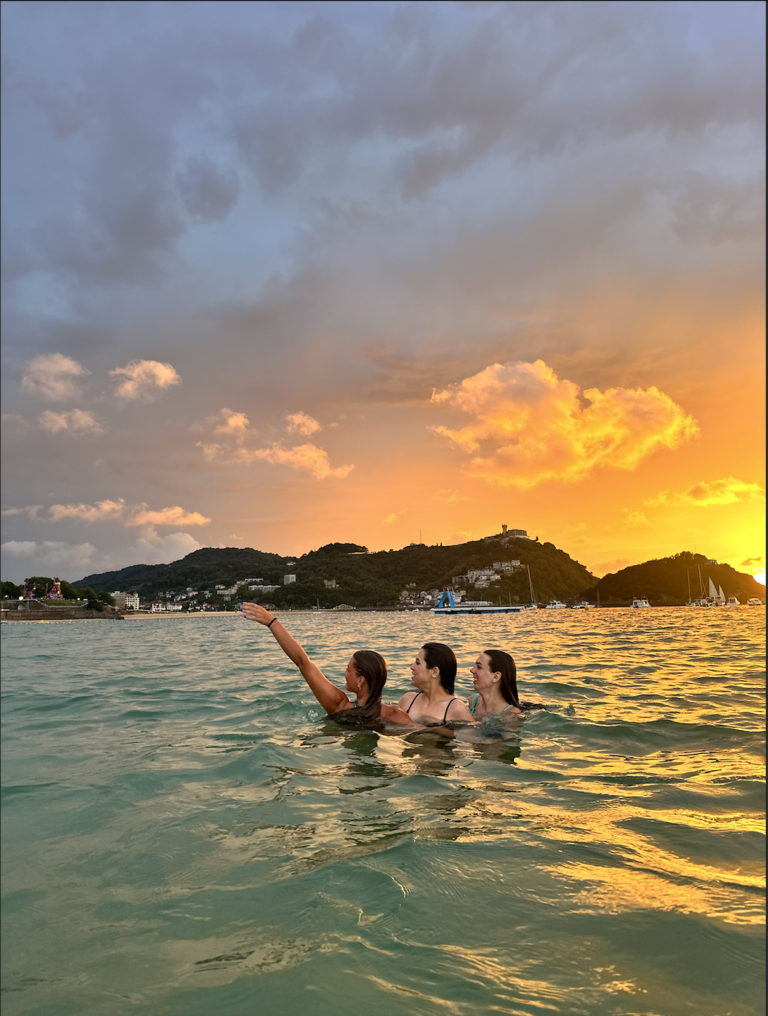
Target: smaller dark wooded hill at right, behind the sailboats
(667, 582)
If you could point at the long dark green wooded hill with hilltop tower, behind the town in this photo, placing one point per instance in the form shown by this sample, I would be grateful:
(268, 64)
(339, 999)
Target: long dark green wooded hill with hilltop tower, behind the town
(362, 580)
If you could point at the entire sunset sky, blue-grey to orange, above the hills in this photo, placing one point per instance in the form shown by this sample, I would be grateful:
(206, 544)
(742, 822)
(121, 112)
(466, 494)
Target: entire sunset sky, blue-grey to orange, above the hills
(283, 275)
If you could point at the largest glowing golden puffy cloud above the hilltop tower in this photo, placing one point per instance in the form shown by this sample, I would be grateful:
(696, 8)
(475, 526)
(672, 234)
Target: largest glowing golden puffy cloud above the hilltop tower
(531, 426)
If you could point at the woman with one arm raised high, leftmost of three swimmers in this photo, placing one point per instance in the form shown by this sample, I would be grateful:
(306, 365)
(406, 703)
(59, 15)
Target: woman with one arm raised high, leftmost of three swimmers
(366, 676)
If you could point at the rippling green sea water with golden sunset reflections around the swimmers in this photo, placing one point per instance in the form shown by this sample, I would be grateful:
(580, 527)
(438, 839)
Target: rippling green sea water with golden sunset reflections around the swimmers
(184, 833)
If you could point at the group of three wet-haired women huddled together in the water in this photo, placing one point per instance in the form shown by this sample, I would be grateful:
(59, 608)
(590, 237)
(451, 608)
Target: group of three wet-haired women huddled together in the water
(433, 675)
